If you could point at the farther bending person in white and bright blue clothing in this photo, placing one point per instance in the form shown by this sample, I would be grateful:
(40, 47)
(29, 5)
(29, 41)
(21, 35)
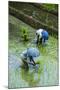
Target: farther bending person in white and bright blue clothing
(42, 36)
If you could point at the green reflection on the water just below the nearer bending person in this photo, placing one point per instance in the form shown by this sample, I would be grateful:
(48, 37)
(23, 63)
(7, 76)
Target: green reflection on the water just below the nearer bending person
(30, 77)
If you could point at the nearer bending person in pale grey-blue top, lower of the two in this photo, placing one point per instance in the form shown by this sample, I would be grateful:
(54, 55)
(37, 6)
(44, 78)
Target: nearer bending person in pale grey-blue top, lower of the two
(27, 56)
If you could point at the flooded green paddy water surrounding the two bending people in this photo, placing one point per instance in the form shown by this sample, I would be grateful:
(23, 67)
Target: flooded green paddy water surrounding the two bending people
(43, 74)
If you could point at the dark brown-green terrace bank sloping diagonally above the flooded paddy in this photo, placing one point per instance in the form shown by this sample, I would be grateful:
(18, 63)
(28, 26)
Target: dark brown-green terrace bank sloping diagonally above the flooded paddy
(34, 16)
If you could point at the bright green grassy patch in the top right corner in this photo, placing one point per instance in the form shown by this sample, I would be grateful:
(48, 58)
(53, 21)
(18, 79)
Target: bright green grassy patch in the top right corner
(48, 8)
